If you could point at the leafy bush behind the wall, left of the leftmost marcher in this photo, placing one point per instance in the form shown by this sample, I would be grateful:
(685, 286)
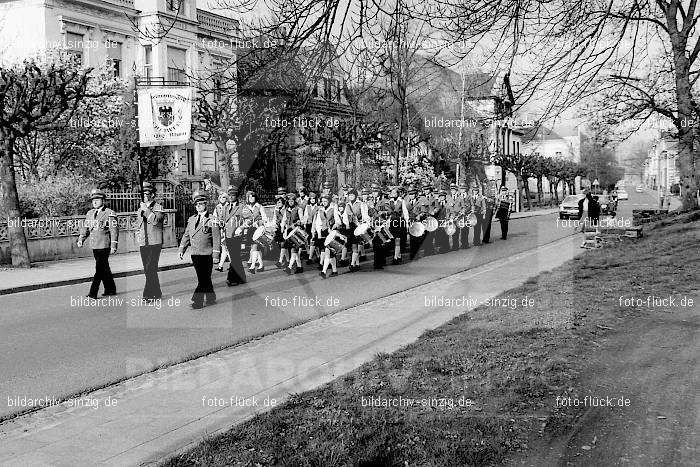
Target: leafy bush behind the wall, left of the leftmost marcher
(54, 196)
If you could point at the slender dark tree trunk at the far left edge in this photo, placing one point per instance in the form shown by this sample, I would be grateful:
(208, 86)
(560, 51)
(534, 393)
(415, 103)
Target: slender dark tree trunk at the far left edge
(10, 204)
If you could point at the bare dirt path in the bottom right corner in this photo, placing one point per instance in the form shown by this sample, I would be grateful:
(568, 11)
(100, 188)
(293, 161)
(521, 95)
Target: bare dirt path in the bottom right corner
(652, 359)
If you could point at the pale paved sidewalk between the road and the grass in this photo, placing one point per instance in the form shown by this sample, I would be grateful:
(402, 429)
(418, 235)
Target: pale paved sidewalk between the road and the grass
(151, 417)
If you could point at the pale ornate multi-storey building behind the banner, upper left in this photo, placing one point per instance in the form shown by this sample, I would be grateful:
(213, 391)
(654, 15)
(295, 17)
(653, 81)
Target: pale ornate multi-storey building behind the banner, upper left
(125, 34)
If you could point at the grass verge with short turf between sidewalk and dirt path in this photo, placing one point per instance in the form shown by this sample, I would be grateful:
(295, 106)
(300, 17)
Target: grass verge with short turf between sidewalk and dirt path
(505, 366)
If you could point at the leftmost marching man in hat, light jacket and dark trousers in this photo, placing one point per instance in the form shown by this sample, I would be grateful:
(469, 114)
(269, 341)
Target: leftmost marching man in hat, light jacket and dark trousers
(102, 227)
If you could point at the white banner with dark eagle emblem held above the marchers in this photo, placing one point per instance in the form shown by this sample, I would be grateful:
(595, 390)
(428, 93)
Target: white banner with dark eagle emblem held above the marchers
(165, 115)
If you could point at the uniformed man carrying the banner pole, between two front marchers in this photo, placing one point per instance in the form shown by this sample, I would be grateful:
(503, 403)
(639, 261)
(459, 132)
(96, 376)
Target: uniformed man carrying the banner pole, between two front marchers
(149, 236)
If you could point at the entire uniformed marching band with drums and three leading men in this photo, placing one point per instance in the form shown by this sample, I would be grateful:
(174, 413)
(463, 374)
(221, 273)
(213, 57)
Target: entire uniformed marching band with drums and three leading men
(329, 230)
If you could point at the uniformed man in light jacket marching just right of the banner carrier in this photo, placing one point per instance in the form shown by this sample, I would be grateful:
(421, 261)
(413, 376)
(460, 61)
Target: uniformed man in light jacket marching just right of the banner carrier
(202, 234)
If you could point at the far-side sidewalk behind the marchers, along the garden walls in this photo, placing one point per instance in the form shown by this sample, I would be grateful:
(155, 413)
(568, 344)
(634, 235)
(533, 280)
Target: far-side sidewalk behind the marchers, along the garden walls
(73, 271)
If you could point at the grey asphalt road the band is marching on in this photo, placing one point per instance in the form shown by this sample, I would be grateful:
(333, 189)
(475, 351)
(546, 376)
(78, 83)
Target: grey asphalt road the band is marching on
(53, 347)
